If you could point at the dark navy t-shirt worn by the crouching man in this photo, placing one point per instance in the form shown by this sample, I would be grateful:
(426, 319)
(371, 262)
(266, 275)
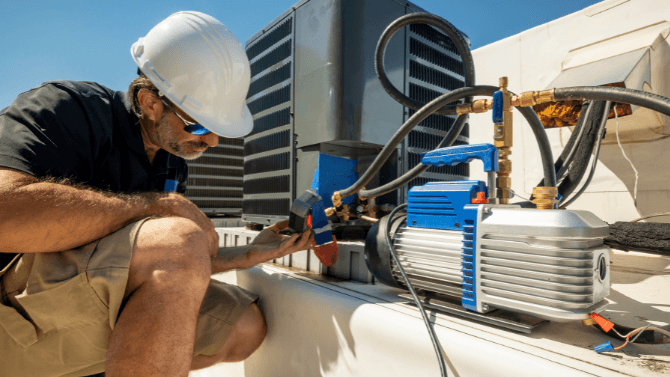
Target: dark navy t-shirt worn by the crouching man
(84, 132)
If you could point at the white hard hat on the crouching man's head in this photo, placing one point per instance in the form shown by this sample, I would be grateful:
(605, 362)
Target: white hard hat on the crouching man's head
(197, 63)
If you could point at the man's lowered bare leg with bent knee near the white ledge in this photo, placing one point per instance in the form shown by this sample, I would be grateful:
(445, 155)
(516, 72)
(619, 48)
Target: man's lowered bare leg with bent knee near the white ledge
(246, 337)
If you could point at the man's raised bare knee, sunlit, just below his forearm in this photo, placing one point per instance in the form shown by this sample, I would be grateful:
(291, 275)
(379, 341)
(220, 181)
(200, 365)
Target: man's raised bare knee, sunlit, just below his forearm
(170, 249)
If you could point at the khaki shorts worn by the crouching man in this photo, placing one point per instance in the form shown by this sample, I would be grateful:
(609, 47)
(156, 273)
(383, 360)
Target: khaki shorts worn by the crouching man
(59, 309)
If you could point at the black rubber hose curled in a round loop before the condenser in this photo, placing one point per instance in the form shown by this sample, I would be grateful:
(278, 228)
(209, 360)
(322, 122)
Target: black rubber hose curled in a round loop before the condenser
(440, 24)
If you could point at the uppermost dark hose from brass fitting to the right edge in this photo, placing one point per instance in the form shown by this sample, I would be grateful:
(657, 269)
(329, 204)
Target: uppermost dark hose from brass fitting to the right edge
(613, 94)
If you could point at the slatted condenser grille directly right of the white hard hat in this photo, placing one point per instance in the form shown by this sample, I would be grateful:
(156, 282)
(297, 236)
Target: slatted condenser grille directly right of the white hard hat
(269, 150)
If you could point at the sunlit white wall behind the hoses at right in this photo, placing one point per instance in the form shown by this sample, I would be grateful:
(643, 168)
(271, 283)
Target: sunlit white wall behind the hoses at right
(533, 59)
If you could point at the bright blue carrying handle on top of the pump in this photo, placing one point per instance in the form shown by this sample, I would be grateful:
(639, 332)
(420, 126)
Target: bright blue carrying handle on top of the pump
(463, 154)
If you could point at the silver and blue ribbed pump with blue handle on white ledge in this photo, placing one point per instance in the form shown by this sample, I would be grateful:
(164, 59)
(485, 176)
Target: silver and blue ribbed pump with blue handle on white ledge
(550, 264)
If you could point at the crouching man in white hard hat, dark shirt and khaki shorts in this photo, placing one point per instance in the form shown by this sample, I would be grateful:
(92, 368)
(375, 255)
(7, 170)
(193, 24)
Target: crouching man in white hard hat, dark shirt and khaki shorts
(110, 273)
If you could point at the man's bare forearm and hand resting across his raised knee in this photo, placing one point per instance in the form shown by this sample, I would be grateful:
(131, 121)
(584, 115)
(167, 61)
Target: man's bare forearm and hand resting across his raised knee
(41, 216)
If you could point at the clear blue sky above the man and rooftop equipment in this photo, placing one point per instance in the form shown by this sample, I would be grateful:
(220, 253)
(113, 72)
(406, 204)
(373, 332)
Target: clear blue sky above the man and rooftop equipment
(90, 40)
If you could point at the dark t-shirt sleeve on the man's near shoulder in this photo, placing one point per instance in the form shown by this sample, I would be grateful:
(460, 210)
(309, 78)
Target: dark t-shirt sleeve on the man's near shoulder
(46, 132)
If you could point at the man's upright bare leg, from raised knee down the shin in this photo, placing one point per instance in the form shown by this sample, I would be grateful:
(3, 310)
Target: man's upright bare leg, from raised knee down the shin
(168, 276)
